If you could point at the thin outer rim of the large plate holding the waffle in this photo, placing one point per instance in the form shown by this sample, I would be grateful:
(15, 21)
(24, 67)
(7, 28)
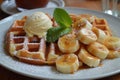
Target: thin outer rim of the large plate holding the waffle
(29, 75)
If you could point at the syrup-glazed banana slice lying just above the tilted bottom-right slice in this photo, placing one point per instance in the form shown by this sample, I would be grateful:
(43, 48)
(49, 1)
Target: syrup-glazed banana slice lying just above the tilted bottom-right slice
(98, 50)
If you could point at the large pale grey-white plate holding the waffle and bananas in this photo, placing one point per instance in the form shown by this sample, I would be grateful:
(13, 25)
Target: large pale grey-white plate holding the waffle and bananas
(108, 68)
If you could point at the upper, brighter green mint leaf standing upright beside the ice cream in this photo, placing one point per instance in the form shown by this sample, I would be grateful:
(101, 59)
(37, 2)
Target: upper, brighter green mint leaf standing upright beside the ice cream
(61, 16)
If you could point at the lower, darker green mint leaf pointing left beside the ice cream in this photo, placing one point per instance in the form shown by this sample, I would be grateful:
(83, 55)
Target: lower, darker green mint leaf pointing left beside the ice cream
(54, 33)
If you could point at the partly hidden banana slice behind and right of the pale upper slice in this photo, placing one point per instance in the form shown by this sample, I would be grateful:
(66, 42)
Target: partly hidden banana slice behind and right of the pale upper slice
(101, 35)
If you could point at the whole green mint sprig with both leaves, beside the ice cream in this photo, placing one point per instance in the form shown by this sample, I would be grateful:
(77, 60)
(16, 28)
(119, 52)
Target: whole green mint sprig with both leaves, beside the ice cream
(64, 21)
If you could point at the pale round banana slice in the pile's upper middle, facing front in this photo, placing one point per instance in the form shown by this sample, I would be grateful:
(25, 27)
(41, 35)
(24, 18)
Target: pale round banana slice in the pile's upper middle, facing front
(86, 36)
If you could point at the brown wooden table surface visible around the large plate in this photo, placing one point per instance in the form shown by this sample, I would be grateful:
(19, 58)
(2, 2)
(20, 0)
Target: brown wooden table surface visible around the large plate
(5, 74)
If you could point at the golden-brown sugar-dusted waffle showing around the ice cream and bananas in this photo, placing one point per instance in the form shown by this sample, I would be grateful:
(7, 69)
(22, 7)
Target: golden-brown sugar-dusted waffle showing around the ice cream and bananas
(36, 50)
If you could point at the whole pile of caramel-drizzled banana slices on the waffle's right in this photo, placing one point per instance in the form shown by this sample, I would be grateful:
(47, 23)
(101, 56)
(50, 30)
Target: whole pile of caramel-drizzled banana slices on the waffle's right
(86, 45)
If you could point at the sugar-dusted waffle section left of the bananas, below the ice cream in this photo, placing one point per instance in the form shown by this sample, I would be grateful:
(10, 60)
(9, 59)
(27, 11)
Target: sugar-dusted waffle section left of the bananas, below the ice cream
(29, 49)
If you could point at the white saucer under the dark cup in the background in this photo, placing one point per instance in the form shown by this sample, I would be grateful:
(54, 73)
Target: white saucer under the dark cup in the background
(9, 6)
